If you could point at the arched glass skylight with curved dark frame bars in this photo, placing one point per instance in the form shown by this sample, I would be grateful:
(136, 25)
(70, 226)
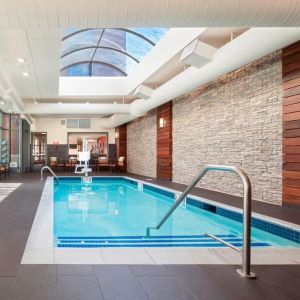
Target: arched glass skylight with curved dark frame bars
(106, 51)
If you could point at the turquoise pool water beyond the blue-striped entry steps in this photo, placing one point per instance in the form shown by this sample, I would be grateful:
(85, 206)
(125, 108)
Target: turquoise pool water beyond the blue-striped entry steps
(115, 207)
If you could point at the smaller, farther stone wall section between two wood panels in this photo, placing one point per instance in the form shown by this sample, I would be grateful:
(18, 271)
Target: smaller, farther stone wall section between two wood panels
(141, 145)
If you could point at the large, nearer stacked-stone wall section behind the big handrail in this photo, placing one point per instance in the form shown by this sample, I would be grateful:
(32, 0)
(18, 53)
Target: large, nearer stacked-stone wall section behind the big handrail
(235, 120)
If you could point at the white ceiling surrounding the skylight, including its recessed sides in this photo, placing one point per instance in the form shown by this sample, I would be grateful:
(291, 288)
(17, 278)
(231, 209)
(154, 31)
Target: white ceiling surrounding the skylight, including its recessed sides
(41, 50)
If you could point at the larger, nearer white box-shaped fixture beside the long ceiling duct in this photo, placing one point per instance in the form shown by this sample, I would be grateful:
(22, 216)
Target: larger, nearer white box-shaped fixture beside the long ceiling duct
(197, 54)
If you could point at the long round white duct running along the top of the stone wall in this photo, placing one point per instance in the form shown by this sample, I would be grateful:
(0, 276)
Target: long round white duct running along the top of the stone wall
(246, 48)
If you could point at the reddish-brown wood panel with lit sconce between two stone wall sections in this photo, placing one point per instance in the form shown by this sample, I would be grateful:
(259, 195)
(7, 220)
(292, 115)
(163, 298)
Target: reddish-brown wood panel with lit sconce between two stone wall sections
(164, 142)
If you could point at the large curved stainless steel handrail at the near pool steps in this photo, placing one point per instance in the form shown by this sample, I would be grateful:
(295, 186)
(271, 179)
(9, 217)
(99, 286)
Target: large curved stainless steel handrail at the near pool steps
(247, 191)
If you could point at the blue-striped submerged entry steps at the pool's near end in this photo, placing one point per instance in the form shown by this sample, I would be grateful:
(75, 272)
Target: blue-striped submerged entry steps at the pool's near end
(200, 241)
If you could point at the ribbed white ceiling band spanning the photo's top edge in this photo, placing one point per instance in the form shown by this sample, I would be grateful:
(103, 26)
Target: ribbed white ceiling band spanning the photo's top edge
(147, 13)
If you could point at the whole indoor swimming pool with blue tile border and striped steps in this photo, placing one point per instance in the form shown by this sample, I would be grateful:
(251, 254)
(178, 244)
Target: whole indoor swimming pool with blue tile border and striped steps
(115, 212)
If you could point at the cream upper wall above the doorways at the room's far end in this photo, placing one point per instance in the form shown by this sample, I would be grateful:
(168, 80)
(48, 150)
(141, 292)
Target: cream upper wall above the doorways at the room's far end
(59, 133)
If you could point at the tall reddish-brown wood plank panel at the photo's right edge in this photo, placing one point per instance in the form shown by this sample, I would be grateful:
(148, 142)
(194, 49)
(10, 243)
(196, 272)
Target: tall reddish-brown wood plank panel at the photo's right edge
(291, 124)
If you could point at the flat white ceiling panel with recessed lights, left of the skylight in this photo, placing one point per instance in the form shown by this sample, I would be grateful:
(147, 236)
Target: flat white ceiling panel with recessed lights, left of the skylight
(41, 50)
